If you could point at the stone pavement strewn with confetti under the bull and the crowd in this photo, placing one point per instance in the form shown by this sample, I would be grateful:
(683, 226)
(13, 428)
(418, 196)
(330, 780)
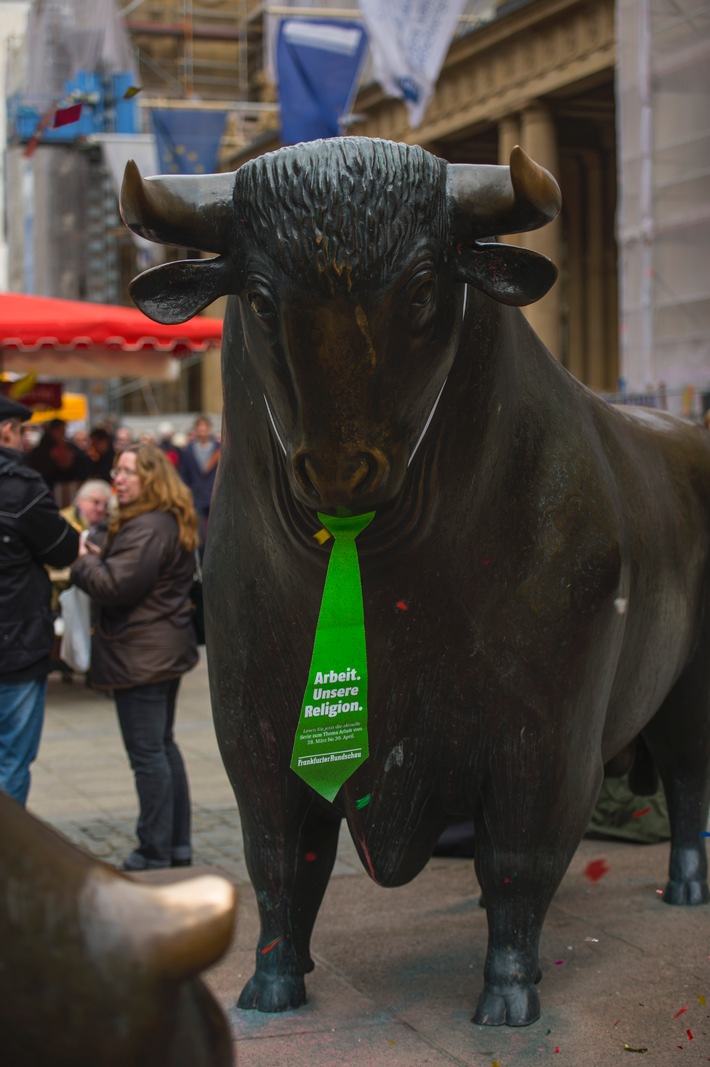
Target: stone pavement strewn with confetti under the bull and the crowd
(399, 972)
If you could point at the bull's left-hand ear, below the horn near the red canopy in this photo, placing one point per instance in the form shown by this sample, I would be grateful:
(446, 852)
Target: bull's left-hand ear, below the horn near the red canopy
(175, 293)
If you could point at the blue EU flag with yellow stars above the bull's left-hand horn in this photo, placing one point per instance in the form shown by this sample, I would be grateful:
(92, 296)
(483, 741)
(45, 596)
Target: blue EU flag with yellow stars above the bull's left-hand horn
(188, 141)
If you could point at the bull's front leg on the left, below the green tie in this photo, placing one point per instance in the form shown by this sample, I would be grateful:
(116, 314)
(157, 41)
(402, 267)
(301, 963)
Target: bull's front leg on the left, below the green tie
(290, 864)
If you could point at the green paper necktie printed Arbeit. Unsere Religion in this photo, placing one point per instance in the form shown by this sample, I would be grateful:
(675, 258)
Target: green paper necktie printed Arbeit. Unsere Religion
(332, 739)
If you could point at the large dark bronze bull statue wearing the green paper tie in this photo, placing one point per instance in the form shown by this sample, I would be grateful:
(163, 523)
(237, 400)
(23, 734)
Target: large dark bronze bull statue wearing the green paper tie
(535, 579)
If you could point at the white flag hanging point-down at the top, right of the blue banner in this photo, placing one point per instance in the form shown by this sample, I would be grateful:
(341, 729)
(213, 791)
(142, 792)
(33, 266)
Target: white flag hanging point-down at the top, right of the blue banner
(409, 41)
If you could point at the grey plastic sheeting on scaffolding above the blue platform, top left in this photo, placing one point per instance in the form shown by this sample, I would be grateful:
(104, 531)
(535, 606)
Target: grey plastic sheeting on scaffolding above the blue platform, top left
(68, 37)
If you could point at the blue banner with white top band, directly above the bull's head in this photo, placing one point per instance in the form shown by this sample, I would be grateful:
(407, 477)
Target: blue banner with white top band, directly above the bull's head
(319, 66)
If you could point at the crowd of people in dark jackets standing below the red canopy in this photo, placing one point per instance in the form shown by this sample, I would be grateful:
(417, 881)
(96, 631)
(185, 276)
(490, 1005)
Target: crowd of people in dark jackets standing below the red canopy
(124, 521)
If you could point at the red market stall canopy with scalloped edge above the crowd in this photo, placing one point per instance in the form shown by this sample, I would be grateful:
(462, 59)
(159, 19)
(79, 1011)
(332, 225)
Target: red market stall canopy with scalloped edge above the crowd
(71, 339)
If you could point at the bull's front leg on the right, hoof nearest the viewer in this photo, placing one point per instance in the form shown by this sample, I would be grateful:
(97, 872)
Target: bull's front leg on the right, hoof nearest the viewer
(526, 838)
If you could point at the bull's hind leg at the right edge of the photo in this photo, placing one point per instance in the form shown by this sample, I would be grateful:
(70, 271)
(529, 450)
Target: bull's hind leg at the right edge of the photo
(680, 740)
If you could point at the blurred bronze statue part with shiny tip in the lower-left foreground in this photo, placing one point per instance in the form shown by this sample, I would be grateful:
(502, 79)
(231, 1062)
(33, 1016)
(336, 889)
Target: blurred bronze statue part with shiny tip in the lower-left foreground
(98, 970)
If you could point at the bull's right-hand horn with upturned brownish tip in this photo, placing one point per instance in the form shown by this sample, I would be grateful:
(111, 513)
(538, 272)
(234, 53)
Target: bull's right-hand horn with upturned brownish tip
(488, 201)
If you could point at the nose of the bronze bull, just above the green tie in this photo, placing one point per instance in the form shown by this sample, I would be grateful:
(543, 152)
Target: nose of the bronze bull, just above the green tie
(341, 480)
